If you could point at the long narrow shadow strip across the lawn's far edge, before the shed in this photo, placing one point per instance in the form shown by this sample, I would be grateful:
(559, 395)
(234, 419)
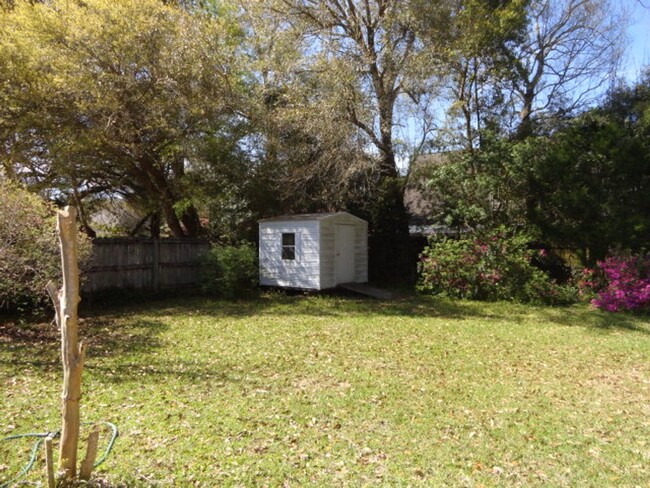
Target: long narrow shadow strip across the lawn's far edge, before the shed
(335, 303)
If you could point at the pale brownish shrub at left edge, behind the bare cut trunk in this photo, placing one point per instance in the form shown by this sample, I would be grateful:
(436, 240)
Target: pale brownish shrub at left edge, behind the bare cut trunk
(29, 249)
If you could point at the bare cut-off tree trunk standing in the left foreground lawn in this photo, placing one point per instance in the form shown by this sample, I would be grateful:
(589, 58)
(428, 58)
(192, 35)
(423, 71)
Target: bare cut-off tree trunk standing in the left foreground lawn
(72, 352)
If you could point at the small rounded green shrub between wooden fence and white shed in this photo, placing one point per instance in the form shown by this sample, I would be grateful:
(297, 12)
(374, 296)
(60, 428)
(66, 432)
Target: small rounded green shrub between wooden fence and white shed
(230, 271)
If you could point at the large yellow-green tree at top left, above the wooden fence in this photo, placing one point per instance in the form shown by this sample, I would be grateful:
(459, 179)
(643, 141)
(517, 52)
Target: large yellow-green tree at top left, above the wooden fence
(109, 97)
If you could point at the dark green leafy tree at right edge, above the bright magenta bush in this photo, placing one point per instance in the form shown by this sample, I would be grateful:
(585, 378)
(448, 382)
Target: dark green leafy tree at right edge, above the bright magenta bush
(591, 180)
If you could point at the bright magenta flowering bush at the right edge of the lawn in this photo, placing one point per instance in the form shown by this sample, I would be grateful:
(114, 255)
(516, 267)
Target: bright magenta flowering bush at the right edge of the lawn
(620, 282)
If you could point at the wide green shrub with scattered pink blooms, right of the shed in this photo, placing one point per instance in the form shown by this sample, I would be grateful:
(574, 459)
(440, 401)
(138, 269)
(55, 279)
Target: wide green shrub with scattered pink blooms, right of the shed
(489, 266)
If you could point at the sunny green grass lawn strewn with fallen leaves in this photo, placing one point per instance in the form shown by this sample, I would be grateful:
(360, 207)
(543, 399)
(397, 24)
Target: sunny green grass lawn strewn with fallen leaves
(335, 391)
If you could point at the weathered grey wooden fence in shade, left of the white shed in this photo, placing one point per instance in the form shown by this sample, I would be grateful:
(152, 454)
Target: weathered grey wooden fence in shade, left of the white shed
(143, 264)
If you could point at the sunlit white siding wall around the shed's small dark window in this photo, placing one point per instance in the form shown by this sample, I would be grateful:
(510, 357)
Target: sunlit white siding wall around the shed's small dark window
(304, 271)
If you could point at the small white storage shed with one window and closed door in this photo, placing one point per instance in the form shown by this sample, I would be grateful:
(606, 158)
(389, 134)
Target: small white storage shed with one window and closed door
(313, 251)
